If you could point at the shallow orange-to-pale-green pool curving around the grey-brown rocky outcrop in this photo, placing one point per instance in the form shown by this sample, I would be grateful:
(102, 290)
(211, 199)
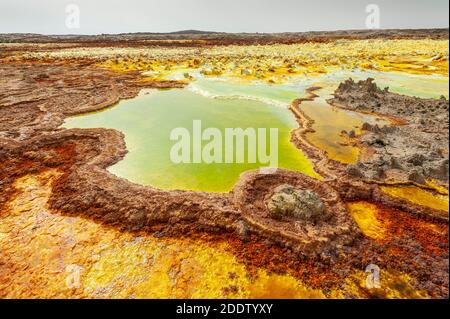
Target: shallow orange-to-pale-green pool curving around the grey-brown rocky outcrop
(329, 122)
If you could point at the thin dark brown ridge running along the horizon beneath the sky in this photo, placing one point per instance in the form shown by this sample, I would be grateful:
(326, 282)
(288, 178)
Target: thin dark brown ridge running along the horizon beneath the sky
(143, 38)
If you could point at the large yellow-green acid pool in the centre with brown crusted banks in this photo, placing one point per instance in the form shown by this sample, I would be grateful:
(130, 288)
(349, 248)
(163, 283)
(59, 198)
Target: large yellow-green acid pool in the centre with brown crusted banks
(148, 120)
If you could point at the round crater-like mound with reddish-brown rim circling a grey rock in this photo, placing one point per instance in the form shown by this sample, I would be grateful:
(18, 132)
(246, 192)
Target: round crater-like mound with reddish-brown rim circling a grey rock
(295, 211)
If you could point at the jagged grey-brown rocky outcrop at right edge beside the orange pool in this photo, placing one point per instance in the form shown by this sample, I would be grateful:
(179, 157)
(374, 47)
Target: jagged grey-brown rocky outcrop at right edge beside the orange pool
(415, 151)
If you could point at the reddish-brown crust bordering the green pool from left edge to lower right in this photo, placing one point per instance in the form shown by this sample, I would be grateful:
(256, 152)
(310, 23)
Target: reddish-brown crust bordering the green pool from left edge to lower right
(34, 100)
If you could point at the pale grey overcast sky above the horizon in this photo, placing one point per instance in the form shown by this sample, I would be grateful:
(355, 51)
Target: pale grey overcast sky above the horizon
(116, 16)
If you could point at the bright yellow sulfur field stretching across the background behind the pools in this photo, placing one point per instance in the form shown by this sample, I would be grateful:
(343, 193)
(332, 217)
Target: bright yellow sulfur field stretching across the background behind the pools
(275, 63)
